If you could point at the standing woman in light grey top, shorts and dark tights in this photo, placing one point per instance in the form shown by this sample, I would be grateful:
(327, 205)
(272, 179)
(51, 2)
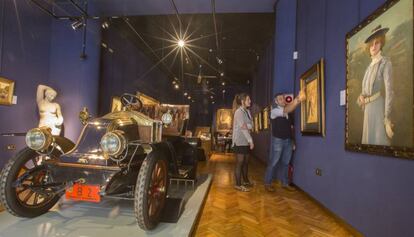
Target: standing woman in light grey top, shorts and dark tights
(242, 140)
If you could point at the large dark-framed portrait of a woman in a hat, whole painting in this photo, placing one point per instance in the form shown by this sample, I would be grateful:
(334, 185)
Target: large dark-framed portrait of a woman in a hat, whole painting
(379, 82)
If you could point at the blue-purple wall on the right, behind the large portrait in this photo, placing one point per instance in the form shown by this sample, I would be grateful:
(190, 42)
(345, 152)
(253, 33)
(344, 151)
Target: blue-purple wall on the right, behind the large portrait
(372, 193)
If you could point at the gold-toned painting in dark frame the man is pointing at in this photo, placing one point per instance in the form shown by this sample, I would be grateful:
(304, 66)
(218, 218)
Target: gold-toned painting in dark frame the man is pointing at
(313, 109)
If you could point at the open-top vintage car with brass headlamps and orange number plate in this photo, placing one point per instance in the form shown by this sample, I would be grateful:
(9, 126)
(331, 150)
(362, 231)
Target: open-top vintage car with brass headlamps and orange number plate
(120, 155)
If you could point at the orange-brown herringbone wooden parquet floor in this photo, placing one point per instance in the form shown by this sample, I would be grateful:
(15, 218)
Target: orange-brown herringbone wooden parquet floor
(228, 212)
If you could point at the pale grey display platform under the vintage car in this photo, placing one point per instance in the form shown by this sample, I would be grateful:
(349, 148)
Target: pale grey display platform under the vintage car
(112, 218)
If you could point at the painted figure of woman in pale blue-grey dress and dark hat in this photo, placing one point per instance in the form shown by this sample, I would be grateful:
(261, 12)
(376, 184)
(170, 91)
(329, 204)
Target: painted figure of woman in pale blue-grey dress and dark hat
(377, 93)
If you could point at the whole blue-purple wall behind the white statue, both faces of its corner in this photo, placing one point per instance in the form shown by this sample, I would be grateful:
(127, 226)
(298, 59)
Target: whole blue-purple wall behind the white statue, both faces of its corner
(38, 50)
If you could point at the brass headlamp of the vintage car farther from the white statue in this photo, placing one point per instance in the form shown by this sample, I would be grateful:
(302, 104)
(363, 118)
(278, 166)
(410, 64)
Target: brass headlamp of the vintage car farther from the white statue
(113, 143)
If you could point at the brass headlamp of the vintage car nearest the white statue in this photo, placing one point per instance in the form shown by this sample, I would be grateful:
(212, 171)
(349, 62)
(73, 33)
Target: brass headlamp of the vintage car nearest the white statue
(39, 139)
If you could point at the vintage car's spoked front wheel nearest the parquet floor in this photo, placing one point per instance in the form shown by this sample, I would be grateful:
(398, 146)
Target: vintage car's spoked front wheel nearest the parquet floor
(151, 190)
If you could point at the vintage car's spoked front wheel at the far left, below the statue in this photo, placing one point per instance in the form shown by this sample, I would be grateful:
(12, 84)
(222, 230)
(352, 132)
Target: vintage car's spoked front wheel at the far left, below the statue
(20, 185)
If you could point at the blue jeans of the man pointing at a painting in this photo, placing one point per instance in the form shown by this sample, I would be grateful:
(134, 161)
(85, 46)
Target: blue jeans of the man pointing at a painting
(282, 150)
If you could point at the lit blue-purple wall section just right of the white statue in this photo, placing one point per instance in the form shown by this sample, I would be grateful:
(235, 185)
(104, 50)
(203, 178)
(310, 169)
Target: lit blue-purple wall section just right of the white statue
(76, 80)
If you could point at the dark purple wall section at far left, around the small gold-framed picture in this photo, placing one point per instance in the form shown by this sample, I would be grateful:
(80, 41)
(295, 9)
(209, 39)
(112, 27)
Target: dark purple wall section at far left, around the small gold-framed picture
(24, 59)
